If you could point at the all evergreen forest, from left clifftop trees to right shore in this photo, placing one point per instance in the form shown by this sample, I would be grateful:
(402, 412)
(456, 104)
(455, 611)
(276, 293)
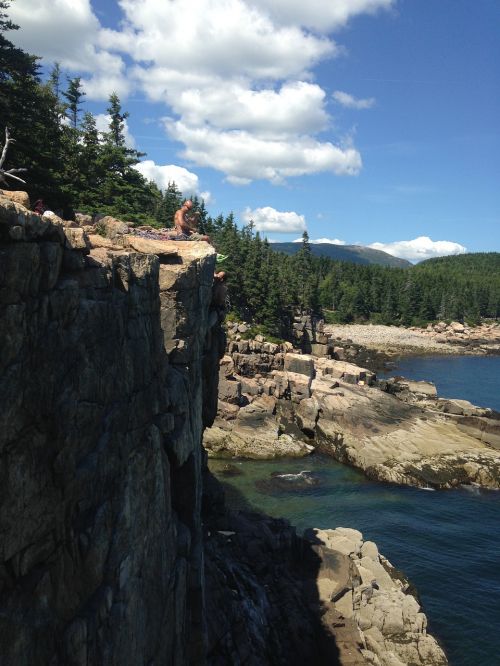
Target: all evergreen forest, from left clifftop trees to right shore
(73, 166)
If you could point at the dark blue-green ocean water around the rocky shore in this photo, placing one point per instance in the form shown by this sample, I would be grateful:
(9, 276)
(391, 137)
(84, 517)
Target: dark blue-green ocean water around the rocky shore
(446, 542)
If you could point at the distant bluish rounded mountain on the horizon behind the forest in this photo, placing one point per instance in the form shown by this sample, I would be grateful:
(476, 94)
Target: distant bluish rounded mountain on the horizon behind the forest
(356, 254)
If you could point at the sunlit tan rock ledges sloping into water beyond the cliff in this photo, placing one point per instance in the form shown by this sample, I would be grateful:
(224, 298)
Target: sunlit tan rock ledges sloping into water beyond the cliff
(275, 402)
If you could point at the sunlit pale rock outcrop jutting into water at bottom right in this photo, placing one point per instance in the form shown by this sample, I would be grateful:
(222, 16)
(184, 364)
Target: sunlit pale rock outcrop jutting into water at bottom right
(375, 599)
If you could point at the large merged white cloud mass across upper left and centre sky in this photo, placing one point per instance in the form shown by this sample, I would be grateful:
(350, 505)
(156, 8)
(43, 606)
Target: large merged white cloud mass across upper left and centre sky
(236, 76)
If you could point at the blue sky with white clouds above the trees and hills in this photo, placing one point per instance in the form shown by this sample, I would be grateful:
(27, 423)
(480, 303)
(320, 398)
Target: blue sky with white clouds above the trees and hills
(371, 122)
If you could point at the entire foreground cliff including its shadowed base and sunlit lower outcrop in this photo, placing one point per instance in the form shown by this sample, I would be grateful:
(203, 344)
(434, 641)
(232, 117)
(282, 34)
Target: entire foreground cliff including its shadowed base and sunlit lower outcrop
(116, 547)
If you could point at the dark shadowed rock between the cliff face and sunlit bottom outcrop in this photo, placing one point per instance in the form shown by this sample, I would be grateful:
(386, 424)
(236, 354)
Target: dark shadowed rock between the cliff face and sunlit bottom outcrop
(262, 601)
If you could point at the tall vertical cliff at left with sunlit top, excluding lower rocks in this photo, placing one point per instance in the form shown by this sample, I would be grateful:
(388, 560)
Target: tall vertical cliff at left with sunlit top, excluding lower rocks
(103, 352)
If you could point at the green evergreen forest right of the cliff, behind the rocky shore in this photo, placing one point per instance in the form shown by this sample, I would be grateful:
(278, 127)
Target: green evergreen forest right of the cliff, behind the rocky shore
(268, 287)
